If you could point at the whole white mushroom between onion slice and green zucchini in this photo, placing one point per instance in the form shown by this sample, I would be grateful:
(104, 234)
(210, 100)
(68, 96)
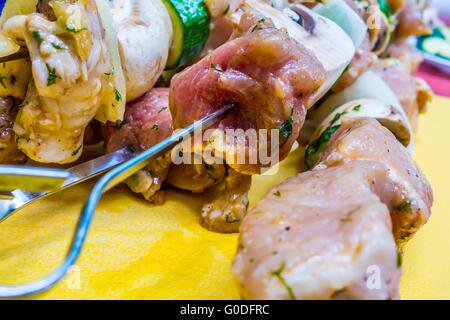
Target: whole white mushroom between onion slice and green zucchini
(144, 31)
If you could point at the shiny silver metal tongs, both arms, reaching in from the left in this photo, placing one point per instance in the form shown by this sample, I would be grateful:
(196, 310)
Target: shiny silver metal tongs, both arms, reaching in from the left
(126, 163)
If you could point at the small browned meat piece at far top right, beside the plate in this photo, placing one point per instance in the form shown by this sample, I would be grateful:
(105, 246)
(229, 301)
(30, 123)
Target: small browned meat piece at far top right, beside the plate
(410, 21)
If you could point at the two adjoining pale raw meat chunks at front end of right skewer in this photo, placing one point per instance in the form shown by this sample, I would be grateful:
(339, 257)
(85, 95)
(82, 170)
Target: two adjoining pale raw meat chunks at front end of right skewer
(317, 235)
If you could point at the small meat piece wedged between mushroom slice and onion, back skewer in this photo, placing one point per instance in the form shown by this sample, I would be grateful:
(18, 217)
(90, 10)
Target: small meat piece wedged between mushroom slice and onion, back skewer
(364, 59)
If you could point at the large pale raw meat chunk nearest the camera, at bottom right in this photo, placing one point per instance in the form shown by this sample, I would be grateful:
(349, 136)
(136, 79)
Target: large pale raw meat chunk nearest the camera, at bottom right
(324, 234)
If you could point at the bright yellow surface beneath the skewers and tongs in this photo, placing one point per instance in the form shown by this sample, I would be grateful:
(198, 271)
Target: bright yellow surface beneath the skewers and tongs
(138, 251)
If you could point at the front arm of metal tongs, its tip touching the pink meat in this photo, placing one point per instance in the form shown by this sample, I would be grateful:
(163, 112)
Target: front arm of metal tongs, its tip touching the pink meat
(108, 181)
